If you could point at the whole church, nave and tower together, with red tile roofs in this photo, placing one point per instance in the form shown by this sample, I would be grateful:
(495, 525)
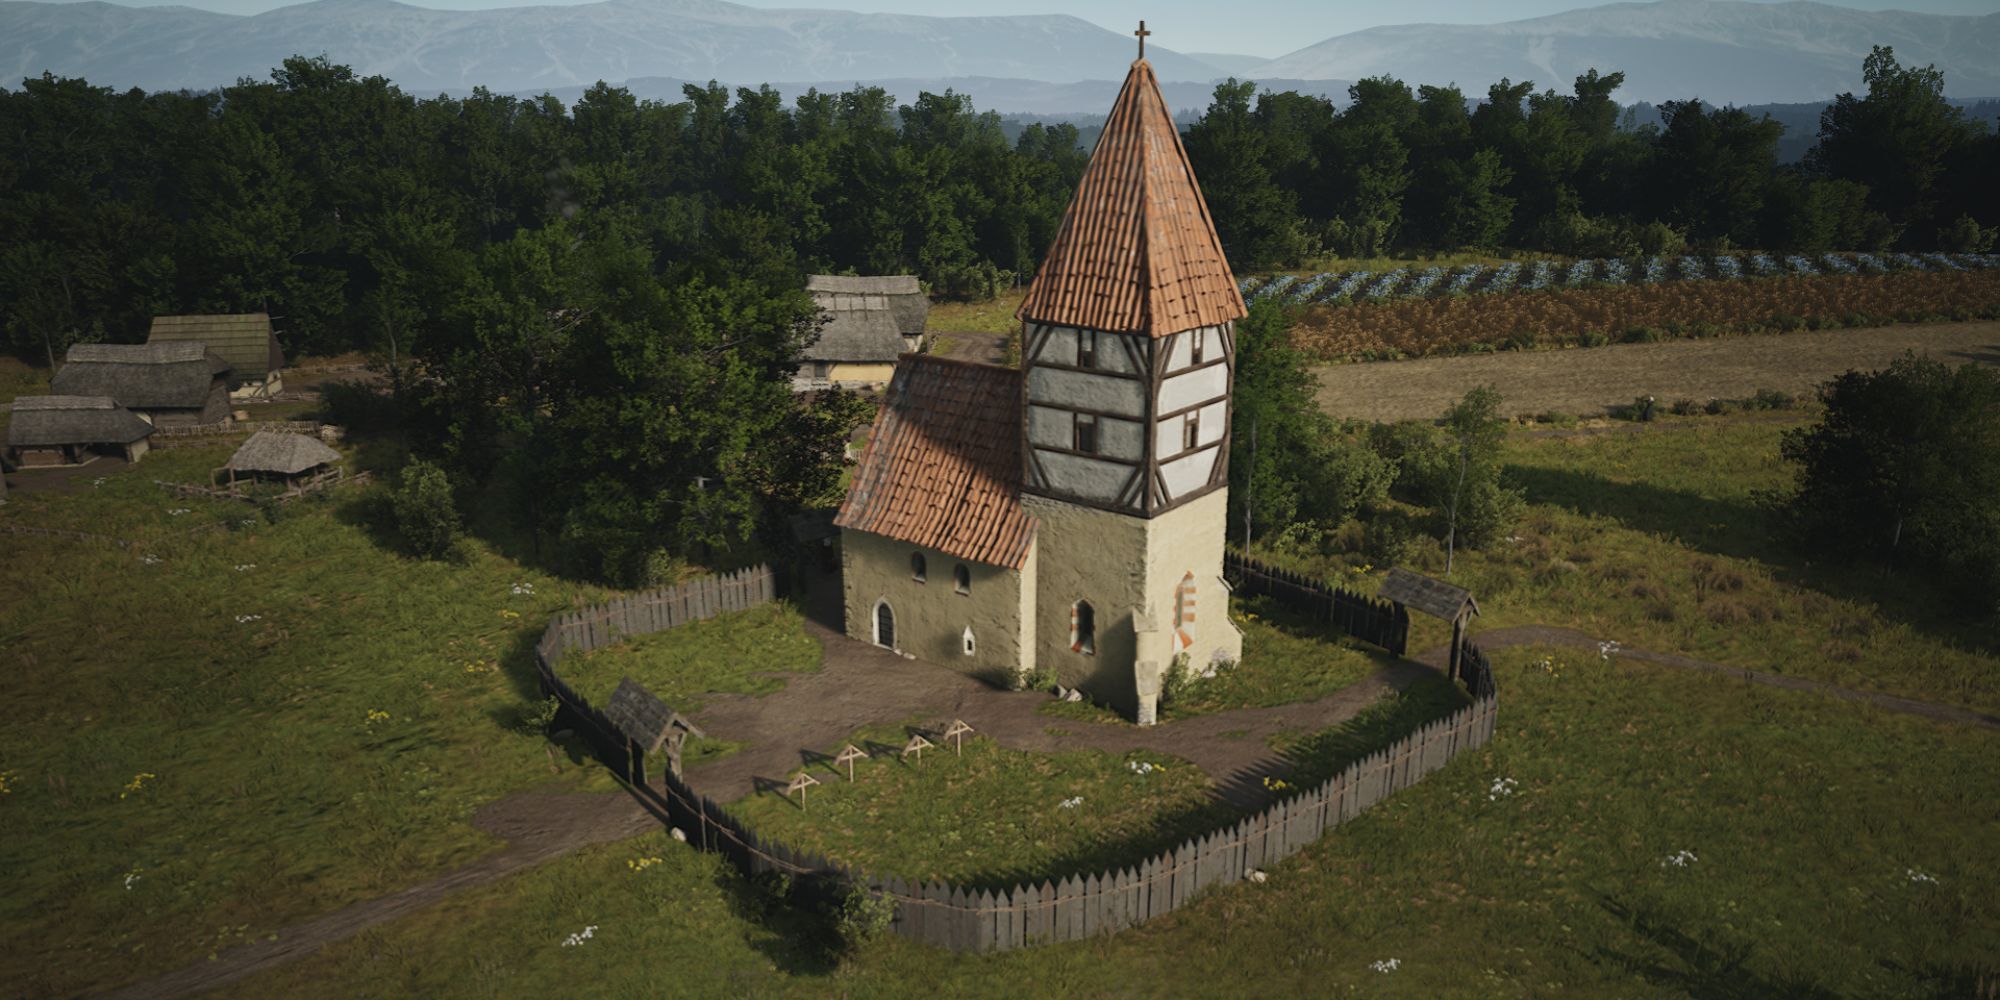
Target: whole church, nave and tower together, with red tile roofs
(1071, 513)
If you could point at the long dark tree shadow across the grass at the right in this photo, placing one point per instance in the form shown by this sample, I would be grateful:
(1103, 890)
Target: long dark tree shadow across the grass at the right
(1737, 529)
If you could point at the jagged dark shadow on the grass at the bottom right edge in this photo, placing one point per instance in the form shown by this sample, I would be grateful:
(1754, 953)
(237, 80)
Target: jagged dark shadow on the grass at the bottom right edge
(1705, 969)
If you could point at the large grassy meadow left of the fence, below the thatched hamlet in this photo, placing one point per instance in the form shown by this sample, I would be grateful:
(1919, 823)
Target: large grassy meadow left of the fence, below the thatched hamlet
(243, 727)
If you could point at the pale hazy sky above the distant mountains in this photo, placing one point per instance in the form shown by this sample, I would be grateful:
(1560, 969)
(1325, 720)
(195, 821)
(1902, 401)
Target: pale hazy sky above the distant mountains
(1249, 27)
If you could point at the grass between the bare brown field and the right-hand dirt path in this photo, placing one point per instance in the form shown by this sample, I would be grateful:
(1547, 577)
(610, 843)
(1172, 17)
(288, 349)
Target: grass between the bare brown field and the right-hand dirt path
(1657, 539)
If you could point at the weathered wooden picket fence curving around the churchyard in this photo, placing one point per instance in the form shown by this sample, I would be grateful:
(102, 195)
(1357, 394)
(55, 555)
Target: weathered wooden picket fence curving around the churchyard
(1025, 915)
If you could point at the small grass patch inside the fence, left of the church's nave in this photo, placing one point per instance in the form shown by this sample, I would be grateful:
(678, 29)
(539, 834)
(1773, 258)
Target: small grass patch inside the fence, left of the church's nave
(699, 659)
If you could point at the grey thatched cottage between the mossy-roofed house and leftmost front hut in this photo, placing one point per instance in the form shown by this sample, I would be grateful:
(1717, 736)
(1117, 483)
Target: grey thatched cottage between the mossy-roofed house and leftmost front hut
(169, 385)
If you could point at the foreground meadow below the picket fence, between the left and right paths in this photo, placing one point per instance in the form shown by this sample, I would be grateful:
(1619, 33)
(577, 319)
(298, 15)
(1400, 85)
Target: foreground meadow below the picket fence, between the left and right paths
(1631, 831)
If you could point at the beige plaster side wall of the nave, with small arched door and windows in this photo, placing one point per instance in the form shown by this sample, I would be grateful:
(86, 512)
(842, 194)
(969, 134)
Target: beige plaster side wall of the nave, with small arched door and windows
(933, 617)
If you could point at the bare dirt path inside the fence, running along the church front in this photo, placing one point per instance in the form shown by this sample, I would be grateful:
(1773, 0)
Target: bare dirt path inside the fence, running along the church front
(863, 685)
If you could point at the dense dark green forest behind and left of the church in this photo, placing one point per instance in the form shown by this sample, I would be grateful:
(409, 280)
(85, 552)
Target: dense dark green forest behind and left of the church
(591, 311)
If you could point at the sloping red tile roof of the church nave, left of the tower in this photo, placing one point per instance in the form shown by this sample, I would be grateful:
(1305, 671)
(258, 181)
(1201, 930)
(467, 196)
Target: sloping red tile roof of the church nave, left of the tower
(943, 467)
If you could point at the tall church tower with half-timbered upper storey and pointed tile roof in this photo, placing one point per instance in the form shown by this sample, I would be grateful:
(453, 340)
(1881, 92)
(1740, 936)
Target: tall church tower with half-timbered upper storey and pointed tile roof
(1127, 365)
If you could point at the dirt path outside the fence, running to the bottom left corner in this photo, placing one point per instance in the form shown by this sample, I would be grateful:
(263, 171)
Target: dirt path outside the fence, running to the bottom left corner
(537, 825)
